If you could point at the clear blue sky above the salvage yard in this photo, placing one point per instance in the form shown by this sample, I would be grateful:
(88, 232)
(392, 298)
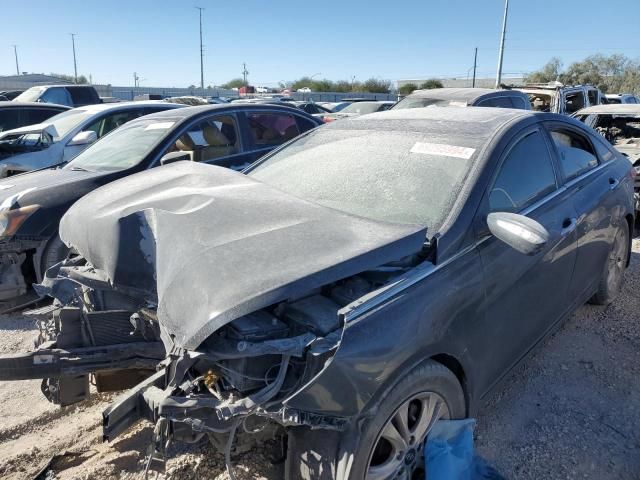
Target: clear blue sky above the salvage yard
(283, 40)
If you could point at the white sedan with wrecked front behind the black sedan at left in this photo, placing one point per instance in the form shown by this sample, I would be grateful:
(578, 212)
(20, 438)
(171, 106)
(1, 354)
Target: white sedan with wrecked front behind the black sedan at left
(63, 136)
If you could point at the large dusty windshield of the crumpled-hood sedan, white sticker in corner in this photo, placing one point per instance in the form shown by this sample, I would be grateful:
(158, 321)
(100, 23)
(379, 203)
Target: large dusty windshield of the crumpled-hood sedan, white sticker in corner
(394, 176)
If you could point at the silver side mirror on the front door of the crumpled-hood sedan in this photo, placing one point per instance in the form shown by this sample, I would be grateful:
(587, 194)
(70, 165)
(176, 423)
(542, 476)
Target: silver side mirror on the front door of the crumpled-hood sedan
(519, 232)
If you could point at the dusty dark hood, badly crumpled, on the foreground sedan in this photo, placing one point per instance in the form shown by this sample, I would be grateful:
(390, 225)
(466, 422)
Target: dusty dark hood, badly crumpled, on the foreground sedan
(210, 244)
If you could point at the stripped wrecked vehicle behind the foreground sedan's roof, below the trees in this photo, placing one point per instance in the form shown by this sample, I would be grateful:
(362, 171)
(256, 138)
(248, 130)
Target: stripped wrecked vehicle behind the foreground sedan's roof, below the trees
(563, 99)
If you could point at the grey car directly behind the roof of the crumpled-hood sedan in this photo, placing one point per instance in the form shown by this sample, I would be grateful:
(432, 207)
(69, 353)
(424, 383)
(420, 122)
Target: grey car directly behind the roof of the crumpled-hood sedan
(464, 97)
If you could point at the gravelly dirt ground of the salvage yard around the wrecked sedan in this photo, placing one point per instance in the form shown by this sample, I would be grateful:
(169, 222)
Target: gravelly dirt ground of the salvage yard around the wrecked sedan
(571, 411)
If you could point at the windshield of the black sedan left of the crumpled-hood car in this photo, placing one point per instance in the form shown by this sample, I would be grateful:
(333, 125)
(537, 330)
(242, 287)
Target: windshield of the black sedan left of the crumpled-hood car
(123, 148)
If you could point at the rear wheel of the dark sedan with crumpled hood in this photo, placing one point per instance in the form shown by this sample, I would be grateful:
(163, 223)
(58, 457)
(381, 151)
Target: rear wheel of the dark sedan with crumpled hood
(612, 277)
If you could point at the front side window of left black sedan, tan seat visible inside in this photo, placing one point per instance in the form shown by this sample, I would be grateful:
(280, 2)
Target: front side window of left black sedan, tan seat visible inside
(213, 138)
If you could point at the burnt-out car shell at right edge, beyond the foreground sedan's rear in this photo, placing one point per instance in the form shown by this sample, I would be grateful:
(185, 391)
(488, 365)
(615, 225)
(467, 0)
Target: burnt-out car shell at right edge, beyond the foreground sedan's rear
(619, 124)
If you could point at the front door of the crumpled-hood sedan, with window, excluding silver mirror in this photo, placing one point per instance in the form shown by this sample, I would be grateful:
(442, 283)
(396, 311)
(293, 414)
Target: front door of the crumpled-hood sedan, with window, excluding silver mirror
(525, 295)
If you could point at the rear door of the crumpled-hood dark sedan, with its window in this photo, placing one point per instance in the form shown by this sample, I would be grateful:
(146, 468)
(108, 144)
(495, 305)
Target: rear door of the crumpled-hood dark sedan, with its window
(592, 188)
